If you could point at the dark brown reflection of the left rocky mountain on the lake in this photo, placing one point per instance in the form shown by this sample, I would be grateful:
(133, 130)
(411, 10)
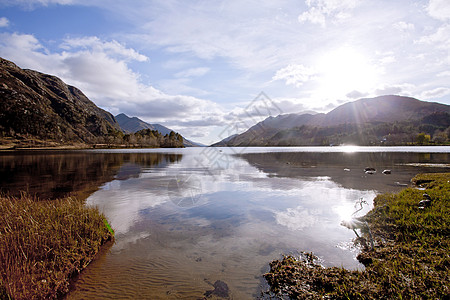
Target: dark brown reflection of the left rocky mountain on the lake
(53, 174)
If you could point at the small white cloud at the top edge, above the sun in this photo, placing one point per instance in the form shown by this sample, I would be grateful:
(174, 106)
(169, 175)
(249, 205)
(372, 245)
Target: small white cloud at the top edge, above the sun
(320, 10)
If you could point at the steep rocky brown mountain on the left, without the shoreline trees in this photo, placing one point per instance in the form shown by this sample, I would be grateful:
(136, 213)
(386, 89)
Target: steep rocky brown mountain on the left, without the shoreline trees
(42, 107)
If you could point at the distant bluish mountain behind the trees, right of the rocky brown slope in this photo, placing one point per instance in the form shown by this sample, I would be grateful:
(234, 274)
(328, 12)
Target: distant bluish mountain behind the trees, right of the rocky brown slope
(134, 124)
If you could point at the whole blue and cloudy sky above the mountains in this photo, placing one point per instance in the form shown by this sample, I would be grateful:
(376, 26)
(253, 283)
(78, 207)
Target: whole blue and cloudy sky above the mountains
(209, 69)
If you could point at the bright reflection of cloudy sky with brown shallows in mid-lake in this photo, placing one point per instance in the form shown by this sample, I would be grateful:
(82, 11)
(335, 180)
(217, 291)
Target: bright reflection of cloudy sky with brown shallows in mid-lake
(182, 227)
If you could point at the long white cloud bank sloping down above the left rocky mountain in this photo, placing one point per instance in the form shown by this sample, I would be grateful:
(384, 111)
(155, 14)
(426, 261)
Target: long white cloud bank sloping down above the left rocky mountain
(100, 69)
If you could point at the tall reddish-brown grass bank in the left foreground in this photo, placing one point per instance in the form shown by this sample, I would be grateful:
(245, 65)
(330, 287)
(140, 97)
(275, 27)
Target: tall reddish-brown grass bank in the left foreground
(44, 243)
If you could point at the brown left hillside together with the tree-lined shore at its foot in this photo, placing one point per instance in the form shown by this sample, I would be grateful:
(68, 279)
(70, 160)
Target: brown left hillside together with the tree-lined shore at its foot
(38, 110)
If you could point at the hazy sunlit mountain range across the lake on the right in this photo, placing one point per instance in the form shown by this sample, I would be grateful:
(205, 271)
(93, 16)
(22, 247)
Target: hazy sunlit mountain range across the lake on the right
(370, 121)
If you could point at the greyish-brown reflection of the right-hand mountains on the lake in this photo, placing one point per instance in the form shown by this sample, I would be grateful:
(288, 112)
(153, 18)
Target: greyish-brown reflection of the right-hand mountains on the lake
(347, 168)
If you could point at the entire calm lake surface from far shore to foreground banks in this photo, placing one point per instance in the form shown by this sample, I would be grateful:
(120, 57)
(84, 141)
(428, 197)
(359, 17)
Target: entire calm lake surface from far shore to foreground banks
(186, 218)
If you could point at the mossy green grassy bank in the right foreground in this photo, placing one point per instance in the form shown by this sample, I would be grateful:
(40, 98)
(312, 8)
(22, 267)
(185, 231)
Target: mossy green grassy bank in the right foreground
(411, 258)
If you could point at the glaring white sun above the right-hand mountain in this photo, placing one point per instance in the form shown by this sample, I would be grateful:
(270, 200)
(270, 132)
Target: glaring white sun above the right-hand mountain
(344, 70)
